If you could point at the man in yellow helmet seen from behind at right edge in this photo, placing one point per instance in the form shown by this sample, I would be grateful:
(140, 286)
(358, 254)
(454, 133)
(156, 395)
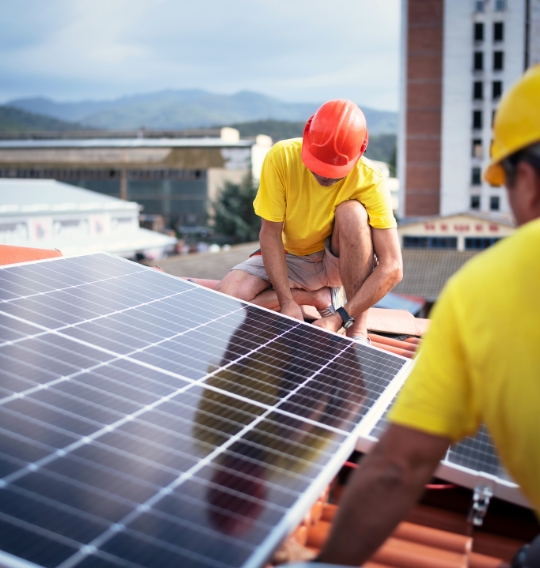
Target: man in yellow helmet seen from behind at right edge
(480, 361)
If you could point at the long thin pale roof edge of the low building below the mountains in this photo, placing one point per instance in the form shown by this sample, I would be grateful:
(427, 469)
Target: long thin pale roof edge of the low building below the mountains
(126, 143)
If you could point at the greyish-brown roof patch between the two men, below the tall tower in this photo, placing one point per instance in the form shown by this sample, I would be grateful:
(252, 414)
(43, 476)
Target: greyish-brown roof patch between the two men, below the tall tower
(425, 272)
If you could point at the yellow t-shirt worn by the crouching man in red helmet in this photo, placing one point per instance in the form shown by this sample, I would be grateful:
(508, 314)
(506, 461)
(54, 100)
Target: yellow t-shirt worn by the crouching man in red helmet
(289, 193)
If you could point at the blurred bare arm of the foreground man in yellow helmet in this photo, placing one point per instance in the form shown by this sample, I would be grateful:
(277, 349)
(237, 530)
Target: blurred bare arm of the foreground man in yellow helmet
(381, 493)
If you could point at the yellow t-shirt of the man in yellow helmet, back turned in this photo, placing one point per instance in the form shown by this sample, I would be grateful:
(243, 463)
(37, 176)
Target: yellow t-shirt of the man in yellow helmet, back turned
(480, 360)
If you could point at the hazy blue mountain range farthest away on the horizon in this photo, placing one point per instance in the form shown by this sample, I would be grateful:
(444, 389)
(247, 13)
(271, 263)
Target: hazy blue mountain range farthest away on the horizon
(179, 109)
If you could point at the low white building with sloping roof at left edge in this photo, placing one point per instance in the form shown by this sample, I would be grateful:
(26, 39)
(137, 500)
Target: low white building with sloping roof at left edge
(52, 215)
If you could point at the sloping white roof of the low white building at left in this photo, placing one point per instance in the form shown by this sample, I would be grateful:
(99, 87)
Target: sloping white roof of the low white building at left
(38, 196)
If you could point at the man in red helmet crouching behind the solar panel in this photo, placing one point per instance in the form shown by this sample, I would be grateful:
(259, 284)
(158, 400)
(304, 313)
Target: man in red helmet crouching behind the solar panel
(325, 211)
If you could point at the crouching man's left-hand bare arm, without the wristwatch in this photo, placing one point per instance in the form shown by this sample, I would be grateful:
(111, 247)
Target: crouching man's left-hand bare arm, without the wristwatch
(273, 255)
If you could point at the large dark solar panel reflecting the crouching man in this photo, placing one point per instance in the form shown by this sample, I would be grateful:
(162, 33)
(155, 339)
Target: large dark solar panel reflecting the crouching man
(145, 421)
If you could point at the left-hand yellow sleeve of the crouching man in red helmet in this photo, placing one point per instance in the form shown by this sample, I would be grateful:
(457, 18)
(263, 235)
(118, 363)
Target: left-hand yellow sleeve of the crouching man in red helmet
(271, 199)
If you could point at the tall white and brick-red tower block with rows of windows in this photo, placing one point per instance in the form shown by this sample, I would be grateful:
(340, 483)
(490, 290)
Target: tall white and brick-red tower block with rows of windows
(458, 57)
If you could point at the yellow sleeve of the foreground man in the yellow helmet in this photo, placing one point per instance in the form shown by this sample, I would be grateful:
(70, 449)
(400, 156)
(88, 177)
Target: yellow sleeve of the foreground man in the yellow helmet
(438, 397)
